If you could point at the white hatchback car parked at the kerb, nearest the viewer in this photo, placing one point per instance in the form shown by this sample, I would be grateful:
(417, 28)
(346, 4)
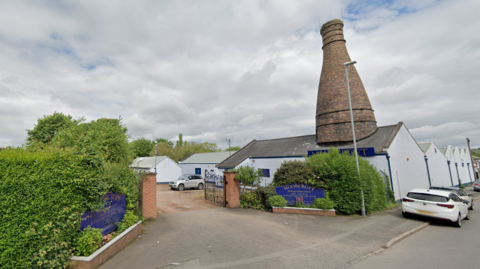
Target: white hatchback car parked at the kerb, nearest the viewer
(435, 204)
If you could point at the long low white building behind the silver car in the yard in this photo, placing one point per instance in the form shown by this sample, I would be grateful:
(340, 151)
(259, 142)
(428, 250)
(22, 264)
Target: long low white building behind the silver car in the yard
(199, 162)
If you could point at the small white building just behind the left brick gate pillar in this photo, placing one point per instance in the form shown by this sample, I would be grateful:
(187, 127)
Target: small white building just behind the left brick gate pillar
(166, 169)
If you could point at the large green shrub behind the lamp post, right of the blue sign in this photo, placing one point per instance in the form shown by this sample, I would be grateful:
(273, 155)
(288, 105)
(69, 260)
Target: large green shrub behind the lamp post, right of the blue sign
(338, 173)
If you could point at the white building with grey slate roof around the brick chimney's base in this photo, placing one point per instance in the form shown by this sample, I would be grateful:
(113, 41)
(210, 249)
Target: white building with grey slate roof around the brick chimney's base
(395, 153)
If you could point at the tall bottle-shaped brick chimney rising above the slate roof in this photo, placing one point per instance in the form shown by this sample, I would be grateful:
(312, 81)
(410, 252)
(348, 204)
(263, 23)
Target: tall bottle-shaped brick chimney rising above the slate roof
(333, 125)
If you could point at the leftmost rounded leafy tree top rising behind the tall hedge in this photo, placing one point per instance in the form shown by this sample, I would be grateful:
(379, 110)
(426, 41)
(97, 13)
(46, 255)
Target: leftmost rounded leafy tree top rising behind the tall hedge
(49, 126)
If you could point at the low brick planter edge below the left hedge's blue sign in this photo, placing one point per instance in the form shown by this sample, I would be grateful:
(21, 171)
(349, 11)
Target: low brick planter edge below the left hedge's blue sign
(106, 251)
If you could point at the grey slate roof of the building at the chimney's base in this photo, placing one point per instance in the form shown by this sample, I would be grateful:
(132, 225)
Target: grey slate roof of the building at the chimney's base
(300, 145)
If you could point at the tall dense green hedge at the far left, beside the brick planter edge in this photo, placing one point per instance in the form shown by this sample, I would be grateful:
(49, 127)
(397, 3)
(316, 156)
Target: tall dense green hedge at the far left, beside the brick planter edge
(42, 196)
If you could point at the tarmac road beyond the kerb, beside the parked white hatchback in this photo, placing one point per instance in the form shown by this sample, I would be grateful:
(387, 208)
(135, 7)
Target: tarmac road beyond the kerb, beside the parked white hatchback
(437, 246)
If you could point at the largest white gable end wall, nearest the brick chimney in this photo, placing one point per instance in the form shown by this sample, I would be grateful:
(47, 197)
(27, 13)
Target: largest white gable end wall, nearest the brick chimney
(408, 164)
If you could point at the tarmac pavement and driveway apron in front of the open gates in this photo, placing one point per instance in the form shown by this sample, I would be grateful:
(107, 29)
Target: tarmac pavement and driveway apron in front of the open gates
(241, 238)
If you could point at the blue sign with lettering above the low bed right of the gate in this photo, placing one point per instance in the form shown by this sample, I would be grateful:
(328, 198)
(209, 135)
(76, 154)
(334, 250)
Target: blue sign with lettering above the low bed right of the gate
(300, 193)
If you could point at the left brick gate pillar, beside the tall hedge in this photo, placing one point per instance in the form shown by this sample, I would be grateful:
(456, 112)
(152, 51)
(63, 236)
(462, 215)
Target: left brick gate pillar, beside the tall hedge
(149, 196)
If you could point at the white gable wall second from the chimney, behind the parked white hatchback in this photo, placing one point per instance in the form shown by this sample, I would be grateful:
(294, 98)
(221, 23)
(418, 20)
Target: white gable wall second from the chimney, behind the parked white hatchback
(438, 167)
